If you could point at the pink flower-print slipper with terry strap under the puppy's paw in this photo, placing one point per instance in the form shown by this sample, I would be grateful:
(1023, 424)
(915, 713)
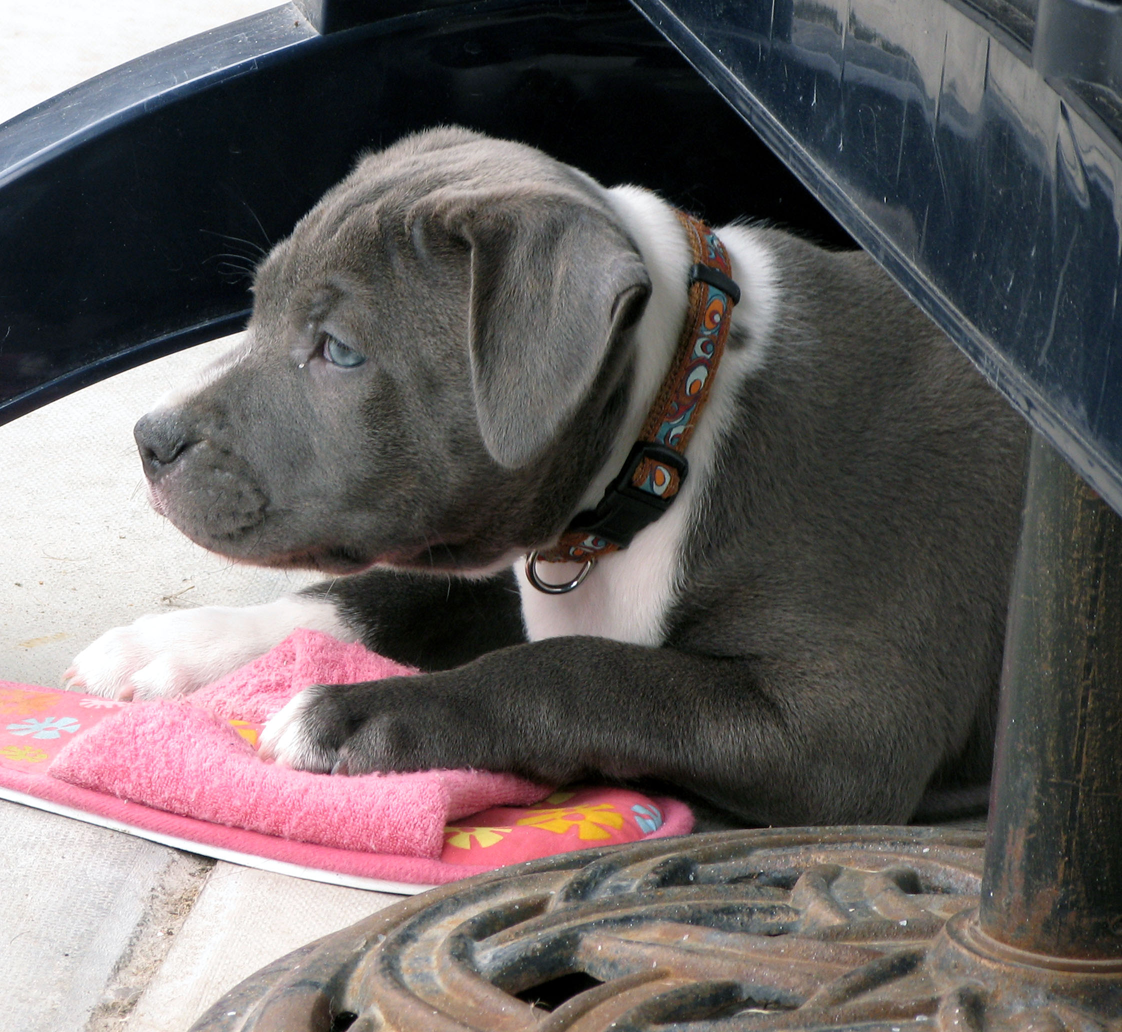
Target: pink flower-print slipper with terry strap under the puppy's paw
(187, 771)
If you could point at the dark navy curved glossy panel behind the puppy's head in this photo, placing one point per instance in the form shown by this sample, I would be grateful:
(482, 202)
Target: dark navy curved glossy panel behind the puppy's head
(132, 207)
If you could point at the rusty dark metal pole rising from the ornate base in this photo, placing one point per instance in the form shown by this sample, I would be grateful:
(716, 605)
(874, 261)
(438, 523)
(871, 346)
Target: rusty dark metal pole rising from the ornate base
(1053, 881)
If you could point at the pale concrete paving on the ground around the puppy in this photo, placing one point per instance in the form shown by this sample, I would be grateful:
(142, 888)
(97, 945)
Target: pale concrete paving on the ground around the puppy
(99, 930)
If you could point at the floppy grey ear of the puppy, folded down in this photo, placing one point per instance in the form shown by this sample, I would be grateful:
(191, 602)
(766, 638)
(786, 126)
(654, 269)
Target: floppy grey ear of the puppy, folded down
(554, 282)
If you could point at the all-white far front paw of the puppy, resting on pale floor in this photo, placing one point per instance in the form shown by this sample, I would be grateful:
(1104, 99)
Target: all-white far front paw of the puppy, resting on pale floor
(174, 653)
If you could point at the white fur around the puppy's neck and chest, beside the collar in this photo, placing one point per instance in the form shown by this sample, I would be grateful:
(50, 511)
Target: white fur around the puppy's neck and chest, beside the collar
(630, 594)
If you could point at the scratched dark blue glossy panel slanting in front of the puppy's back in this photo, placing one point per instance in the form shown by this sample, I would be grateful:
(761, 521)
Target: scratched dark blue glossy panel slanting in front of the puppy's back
(989, 189)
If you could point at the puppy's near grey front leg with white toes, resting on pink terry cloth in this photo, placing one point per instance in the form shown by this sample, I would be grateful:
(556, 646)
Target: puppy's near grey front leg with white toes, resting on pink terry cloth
(562, 711)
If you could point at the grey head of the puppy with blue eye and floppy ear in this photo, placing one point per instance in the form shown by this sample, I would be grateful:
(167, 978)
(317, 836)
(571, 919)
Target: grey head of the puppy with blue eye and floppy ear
(434, 371)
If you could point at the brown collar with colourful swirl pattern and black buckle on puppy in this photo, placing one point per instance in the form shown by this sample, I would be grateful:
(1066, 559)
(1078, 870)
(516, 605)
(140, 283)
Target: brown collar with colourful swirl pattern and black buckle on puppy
(657, 467)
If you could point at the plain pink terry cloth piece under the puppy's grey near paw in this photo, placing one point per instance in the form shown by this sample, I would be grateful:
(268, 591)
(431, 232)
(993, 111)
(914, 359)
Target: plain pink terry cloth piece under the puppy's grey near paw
(182, 757)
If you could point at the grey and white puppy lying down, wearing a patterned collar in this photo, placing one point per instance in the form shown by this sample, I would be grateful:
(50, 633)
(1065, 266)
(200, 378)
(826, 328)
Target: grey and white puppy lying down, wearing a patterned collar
(450, 357)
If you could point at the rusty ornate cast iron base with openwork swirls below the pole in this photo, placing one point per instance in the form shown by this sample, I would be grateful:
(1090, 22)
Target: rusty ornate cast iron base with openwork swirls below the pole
(797, 929)
